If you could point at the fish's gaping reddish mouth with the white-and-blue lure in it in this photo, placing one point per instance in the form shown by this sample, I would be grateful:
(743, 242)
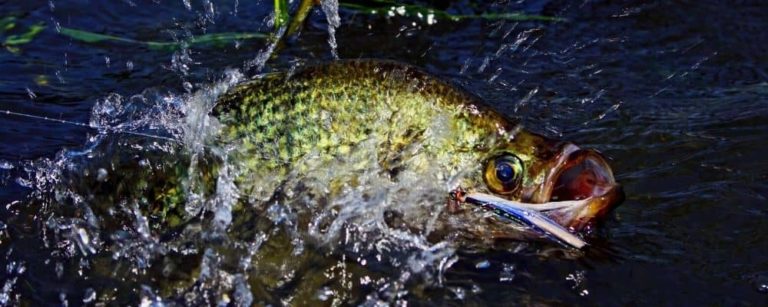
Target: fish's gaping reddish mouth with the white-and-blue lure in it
(576, 193)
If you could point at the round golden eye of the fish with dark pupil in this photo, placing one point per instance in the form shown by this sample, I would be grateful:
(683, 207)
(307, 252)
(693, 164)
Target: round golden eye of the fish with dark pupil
(503, 173)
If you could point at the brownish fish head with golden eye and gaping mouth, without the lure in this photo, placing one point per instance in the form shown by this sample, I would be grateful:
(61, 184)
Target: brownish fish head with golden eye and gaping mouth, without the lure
(532, 170)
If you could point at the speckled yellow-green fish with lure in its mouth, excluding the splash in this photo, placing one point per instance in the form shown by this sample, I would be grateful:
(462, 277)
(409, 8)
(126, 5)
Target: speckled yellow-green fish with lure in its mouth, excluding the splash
(415, 123)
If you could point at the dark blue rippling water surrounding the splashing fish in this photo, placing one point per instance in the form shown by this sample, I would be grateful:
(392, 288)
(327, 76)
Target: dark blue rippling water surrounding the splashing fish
(675, 94)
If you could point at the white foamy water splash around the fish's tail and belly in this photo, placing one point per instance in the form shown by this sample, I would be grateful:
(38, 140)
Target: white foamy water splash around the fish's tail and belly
(106, 182)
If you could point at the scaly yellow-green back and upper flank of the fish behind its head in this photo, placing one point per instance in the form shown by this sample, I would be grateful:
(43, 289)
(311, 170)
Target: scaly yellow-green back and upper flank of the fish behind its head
(330, 109)
